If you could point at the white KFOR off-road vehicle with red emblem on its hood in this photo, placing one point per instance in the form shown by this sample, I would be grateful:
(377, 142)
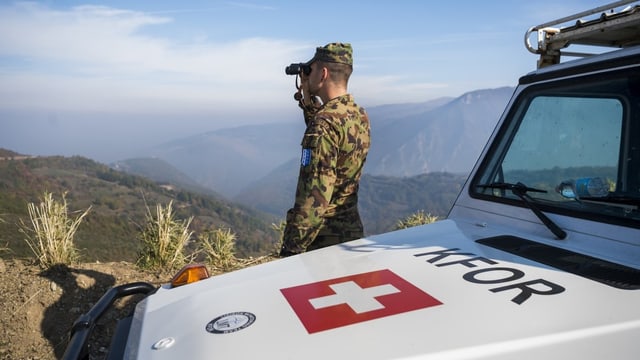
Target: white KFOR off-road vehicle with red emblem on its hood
(539, 258)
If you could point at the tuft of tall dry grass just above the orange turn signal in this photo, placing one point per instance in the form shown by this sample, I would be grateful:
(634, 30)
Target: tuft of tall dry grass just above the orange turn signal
(163, 240)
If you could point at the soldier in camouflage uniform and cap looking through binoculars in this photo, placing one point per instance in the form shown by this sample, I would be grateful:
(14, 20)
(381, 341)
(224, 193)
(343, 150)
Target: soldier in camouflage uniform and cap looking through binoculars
(334, 149)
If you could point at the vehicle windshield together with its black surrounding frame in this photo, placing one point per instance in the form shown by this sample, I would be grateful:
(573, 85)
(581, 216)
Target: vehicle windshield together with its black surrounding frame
(577, 143)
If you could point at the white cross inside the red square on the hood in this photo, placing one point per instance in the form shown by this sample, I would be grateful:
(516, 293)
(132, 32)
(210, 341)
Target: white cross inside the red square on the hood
(359, 299)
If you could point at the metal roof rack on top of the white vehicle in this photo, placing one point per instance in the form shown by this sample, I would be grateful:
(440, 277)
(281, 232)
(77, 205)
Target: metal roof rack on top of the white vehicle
(611, 29)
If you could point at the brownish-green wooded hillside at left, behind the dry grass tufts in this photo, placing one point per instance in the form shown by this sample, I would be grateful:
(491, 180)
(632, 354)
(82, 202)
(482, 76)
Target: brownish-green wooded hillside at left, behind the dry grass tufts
(118, 202)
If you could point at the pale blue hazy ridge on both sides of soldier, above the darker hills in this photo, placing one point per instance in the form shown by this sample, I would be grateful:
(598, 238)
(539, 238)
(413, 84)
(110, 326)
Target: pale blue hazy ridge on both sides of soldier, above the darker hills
(441, 135)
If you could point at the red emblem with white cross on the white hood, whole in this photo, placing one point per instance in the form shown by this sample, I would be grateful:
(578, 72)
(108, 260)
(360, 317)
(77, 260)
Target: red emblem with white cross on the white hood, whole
(356, 298)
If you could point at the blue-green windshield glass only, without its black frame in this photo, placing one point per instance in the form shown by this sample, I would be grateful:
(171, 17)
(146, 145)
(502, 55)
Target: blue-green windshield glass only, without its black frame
(562, 138)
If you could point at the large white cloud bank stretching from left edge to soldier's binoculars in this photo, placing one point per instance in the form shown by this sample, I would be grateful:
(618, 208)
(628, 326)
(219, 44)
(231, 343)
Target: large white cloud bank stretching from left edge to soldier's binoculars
(98, 57)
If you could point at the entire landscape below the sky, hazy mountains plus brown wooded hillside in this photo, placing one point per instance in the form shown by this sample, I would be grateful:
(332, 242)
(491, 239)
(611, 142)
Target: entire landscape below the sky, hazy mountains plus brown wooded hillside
(244, 177)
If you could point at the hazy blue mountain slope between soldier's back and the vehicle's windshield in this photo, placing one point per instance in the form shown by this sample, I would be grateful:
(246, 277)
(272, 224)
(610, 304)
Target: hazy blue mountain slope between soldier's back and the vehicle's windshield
(448, 138)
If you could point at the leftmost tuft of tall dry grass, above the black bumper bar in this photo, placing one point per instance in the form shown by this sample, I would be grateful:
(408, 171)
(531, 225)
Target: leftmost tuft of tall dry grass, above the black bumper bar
(51, 233)
